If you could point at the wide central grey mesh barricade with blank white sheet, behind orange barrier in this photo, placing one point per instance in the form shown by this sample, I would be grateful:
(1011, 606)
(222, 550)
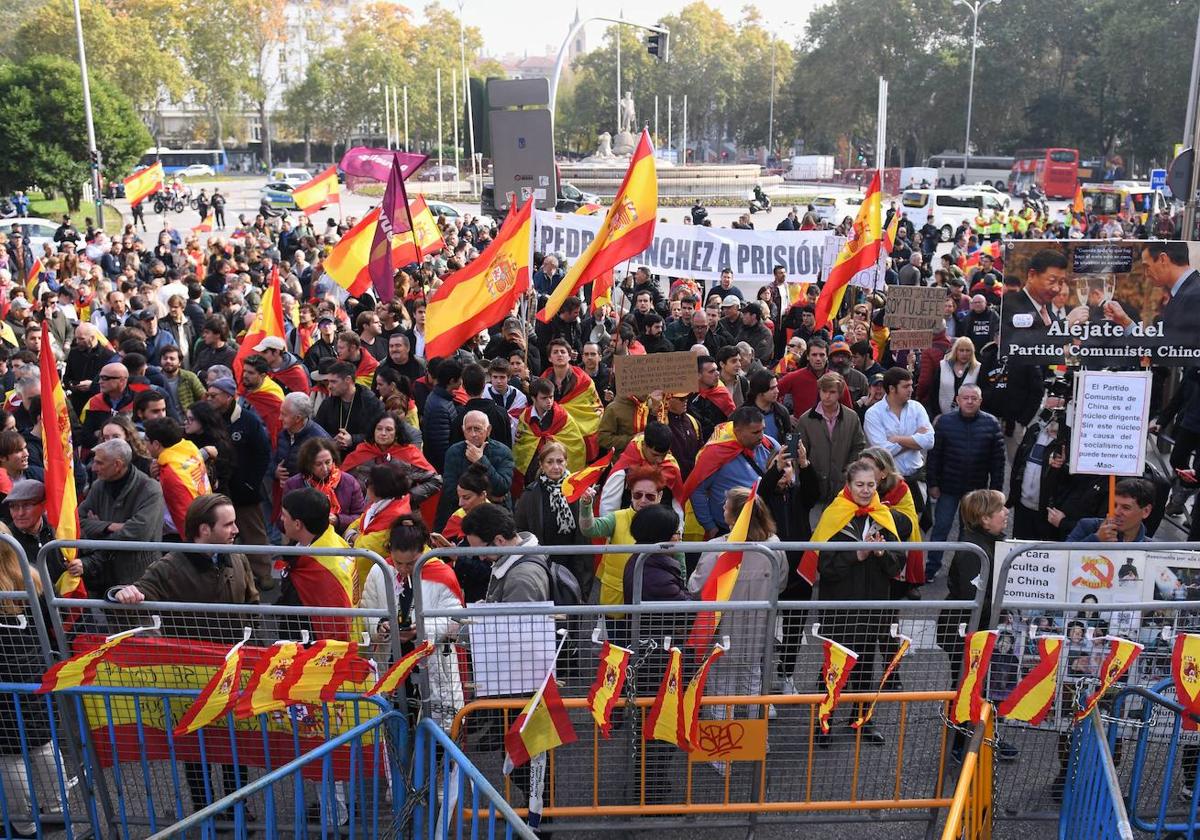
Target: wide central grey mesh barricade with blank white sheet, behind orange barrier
(493, 651)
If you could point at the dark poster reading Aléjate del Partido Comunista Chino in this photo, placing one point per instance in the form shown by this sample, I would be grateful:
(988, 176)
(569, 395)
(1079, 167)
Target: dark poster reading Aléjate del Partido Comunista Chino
(1101, 304)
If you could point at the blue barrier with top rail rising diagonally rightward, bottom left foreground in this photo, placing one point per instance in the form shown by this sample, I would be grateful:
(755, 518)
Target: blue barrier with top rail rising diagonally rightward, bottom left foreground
(311, 796)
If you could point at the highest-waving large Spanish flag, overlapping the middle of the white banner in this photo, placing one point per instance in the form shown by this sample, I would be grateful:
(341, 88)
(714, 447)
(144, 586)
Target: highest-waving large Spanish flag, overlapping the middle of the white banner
(627, 231)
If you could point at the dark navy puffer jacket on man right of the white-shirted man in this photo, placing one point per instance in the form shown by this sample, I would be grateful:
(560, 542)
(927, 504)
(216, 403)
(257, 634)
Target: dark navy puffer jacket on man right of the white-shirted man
(969, 454)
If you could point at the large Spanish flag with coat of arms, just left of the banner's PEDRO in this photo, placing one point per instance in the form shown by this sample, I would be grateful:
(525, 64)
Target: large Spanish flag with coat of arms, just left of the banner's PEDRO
(482, 295)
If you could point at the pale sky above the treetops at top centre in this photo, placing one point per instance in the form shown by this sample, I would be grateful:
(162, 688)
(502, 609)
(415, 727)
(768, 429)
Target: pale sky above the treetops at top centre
(539, 27)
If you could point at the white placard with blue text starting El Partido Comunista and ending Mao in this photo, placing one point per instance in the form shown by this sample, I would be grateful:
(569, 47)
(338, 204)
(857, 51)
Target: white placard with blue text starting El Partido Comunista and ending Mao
(1111, 422)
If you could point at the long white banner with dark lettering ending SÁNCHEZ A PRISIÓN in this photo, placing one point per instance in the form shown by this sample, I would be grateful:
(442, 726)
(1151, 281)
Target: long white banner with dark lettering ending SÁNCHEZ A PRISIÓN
(695, 251)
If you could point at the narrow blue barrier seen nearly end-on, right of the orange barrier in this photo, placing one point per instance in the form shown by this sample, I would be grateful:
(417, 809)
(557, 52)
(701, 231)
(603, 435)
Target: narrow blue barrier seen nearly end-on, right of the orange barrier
(1093, 808)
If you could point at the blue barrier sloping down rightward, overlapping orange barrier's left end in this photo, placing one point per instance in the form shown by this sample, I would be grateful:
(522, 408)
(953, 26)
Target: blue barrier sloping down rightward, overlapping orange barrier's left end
(441, 809)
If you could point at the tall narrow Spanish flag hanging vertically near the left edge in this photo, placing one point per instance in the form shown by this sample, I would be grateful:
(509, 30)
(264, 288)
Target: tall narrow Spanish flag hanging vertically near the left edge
(62, 503)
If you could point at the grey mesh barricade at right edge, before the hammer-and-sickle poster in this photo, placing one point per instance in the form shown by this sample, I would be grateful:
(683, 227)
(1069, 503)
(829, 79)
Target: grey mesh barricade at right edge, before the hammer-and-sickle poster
(1030, 785)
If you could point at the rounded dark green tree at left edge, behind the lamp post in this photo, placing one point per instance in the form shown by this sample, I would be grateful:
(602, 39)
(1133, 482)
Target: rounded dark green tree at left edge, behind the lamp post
(43, 128)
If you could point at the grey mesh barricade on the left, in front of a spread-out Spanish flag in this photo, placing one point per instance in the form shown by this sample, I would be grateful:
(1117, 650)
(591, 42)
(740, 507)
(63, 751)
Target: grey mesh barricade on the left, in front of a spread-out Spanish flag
(146, 686)
